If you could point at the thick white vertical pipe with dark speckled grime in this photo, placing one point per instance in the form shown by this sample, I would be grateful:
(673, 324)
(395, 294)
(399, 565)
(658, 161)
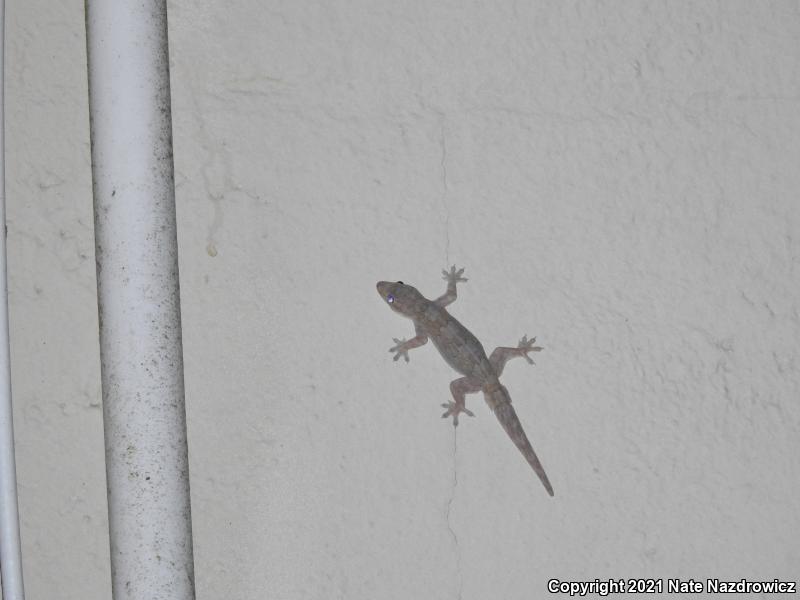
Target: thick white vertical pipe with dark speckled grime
(138, 300)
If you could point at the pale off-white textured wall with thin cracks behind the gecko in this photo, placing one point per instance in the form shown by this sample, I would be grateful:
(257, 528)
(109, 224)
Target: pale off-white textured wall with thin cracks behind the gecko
(619, 179)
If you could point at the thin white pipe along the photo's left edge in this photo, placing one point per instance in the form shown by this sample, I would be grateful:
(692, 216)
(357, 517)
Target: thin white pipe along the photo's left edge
(10, 553)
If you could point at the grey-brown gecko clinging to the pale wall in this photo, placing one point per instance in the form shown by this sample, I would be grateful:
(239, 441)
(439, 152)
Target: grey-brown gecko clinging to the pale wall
(463, 352)
